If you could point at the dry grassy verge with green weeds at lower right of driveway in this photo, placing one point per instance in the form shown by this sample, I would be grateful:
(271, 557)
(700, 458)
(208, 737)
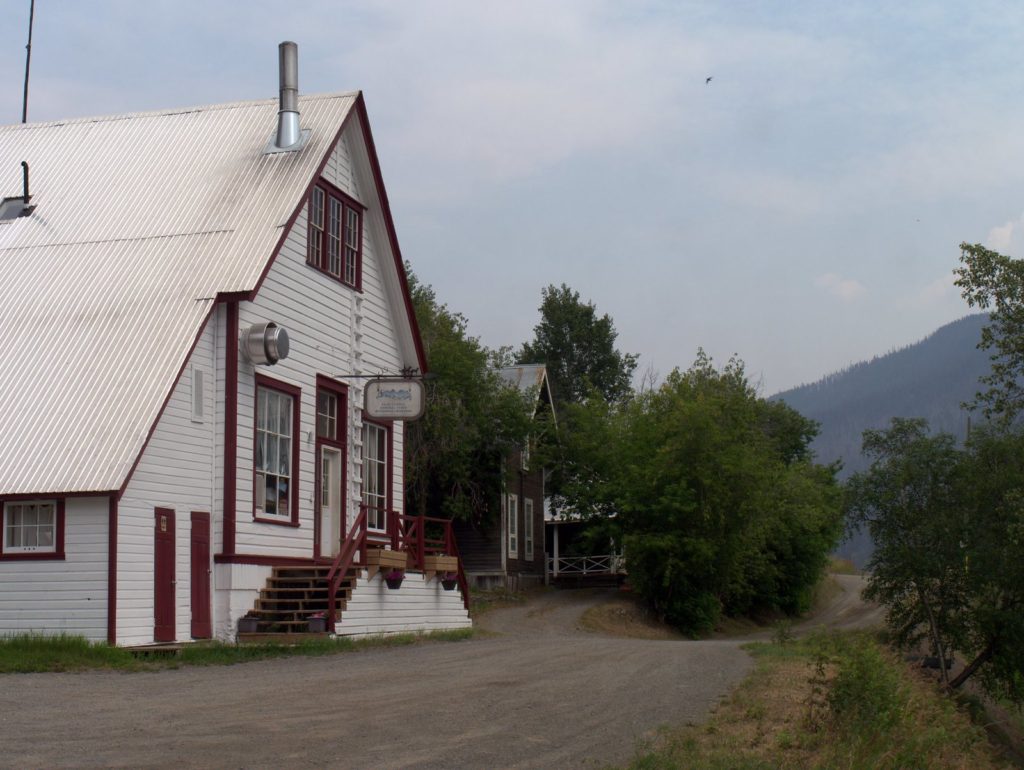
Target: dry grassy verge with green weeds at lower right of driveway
(837, 701)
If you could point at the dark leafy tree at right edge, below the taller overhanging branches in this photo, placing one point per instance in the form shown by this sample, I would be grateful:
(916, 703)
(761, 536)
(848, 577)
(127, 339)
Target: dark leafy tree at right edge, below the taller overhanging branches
(949, 527)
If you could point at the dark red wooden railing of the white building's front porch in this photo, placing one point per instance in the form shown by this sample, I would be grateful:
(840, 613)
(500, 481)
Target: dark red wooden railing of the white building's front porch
(418, 536)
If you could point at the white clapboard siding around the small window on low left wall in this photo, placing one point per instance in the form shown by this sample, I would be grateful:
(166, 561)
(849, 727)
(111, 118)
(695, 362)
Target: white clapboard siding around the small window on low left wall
(62, 597)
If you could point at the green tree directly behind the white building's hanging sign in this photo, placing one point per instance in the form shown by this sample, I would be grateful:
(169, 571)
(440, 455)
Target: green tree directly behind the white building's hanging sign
(454, 454)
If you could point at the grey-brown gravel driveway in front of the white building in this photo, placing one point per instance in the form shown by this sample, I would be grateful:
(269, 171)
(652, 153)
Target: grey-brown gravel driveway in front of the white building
(540, 694)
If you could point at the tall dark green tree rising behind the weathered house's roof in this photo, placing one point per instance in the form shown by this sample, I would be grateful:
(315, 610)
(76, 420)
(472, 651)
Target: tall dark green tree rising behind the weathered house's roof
(579, 349)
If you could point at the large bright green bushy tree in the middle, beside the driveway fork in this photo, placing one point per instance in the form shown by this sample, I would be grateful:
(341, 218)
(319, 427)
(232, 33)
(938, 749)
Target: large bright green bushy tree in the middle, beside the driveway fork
(719, 508)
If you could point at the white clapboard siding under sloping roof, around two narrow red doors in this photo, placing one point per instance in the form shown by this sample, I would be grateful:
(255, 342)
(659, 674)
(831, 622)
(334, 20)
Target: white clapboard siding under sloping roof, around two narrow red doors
(178, 470)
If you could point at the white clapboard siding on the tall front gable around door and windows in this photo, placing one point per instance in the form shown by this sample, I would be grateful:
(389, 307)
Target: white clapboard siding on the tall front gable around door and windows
(322, 318)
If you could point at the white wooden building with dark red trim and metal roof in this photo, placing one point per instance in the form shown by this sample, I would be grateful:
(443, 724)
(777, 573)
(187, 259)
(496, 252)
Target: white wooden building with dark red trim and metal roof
(155, 466)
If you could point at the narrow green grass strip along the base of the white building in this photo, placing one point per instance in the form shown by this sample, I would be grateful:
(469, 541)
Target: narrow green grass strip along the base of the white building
(36, 654)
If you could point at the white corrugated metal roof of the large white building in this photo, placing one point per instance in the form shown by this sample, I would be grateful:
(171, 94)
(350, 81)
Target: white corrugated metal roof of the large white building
(141, 221)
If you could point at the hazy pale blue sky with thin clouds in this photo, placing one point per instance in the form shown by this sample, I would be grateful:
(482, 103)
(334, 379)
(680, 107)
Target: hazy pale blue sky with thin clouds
(803, 209)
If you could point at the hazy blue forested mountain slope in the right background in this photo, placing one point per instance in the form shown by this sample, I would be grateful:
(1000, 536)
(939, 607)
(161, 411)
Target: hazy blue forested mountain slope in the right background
(930, 379)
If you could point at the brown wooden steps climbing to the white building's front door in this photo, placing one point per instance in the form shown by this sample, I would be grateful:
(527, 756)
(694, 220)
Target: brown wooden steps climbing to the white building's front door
(288, 601)
